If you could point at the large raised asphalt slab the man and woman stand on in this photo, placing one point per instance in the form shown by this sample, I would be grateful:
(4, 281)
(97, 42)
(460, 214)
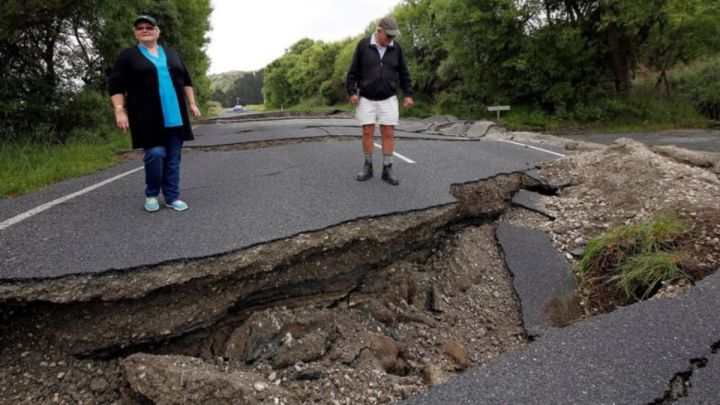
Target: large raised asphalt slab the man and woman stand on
(239, 199)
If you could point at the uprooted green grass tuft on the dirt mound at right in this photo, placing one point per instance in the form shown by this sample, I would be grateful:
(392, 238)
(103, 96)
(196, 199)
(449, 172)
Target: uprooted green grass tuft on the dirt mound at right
(628, 263)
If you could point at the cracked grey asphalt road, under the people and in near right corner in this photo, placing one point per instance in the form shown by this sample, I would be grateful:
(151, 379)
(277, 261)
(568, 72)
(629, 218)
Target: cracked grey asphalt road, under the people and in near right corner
(245, 197)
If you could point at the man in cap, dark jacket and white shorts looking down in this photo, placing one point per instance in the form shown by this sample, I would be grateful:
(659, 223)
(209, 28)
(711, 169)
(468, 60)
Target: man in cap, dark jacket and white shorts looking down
(372, 81)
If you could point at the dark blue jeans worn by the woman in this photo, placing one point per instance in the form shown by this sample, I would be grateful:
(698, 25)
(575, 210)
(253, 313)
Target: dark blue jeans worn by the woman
(162, 166)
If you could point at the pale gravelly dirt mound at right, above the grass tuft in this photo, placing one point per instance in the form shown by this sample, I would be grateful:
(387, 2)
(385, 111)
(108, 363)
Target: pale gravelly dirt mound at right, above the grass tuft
(629, 183)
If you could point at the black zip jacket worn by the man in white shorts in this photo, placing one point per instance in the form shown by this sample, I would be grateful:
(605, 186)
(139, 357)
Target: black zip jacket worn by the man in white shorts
(377, 79)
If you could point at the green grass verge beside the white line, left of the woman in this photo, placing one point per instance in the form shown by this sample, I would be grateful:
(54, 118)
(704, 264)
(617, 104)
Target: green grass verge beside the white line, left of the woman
(27, 167)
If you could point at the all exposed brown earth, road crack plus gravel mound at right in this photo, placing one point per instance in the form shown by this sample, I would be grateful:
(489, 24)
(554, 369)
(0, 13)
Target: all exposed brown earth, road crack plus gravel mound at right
(369, 312)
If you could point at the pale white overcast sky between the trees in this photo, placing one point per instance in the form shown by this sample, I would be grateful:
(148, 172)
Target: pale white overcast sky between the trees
(247, 35)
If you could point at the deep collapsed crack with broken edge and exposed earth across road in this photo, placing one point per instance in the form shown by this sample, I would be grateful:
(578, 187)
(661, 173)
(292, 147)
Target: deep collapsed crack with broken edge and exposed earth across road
(416, 296)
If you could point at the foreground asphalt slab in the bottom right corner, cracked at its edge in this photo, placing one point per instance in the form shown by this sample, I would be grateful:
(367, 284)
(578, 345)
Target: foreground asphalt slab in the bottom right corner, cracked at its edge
(629, 356)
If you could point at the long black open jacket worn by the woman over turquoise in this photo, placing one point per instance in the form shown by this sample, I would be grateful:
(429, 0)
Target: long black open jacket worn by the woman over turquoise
(136, 77)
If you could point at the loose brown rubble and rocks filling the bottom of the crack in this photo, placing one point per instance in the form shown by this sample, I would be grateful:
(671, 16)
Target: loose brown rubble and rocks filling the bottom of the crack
(415, 324)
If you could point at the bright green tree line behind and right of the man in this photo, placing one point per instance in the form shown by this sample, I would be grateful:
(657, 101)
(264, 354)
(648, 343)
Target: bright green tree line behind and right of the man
(572, 58)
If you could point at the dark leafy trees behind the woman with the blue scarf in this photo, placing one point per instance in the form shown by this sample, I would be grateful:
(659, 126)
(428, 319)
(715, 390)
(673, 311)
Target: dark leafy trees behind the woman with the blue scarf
(55, 56)
